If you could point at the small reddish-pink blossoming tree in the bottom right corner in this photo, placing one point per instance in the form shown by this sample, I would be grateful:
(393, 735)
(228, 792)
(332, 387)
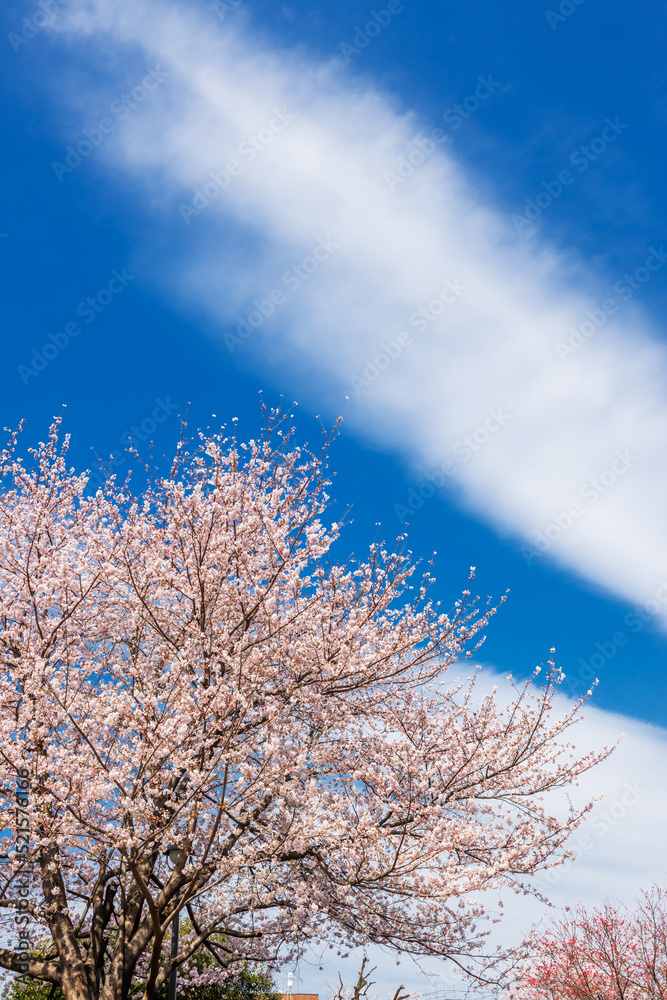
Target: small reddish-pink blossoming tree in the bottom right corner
(612, 952)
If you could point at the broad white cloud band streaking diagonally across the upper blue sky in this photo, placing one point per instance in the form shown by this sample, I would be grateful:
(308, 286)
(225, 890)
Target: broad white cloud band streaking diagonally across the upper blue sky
(323, 175)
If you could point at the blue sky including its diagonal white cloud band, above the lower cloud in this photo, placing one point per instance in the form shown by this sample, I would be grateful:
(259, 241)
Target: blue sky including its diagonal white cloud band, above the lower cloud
(578, 95)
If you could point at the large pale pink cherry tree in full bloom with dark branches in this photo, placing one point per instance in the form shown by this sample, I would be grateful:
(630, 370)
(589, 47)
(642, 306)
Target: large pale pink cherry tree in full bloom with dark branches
(185, 665)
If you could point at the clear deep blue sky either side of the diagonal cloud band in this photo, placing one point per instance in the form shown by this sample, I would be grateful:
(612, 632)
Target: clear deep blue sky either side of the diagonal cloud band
(552, 90)
